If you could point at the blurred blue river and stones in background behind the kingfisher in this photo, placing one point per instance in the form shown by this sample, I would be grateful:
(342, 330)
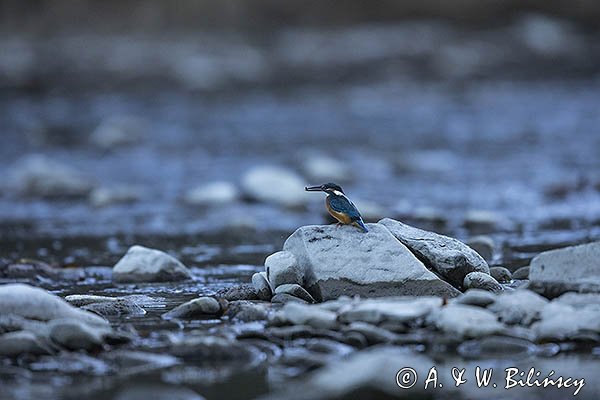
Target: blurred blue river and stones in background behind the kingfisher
(166, 119)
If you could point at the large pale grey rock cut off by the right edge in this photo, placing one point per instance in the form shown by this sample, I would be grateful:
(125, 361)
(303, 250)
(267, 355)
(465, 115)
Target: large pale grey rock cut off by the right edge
(575, 268)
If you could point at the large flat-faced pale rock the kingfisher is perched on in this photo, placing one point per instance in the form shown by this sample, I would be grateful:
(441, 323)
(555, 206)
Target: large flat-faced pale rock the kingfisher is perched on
(342, 260)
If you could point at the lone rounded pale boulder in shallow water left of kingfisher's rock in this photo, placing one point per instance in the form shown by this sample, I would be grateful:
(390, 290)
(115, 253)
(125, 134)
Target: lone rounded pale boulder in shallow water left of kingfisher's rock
(141, 264)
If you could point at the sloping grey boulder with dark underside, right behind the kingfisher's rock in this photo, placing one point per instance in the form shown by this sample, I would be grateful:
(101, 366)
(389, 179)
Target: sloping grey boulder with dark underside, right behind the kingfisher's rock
(449, 257)
